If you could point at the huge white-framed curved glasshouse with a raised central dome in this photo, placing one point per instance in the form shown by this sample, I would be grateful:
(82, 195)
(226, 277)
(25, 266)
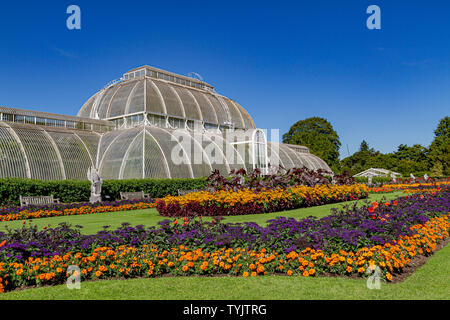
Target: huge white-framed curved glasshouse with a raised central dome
(150, 123)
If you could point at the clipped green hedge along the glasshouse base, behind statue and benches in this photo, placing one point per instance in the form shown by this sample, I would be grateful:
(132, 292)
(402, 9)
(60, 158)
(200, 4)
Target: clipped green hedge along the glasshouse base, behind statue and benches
(69, 191)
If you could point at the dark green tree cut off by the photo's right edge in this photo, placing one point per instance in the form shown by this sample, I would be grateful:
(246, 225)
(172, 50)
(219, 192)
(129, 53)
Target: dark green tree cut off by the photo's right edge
(440, 148)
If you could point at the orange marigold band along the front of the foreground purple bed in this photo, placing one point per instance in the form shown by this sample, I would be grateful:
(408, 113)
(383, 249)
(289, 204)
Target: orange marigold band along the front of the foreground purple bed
(149, 261)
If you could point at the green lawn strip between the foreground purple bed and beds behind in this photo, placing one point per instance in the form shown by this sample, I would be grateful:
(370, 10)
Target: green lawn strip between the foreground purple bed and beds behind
(94, 222)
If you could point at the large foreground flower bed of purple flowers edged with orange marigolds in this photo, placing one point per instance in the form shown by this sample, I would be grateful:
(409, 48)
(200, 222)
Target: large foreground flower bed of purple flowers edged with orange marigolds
(348, 242)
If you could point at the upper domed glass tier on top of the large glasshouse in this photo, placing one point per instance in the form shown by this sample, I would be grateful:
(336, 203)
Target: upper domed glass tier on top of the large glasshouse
(160, 92)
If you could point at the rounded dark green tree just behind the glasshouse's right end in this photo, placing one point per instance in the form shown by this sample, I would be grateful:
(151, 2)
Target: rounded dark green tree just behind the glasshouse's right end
(319, 136)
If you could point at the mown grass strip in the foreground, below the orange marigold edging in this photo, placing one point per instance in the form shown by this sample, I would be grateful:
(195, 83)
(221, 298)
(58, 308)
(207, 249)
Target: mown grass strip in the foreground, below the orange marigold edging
(429, 282)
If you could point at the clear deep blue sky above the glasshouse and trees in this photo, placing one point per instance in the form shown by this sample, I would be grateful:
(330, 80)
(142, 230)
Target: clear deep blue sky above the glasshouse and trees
(282, 60)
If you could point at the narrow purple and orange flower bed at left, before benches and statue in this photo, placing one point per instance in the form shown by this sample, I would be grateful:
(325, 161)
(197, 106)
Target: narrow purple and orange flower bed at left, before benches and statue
(34, 212)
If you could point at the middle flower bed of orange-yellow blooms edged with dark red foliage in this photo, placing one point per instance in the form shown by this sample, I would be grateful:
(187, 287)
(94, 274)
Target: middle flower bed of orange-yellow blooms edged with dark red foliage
(246, 201)
